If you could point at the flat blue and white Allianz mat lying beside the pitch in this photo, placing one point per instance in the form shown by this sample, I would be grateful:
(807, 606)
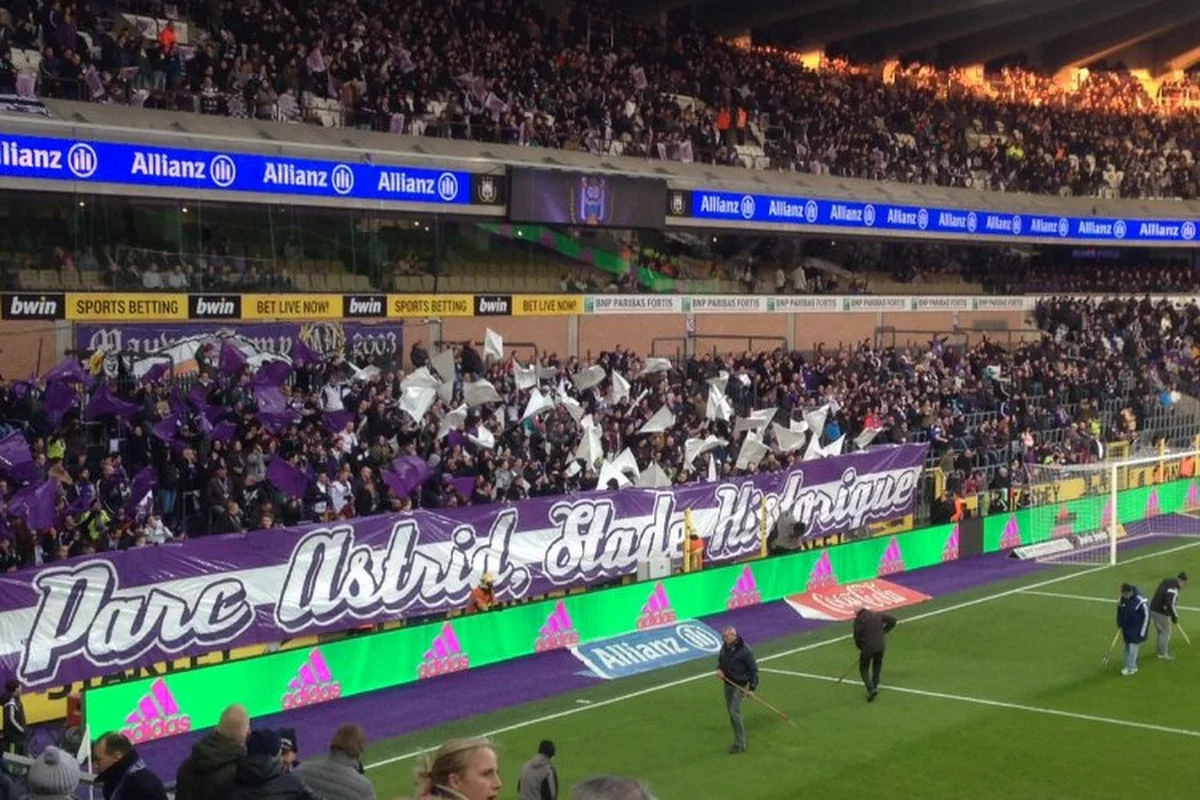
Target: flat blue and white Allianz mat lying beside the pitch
(650, 649)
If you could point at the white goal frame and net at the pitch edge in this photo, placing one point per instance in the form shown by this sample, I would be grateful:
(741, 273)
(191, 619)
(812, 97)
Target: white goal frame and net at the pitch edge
(1102, 514)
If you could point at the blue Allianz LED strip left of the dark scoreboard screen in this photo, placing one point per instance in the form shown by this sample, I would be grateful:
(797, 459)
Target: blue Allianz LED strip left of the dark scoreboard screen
(89, 161)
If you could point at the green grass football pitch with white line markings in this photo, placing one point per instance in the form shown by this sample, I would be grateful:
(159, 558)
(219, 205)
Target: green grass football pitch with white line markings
(997, 693)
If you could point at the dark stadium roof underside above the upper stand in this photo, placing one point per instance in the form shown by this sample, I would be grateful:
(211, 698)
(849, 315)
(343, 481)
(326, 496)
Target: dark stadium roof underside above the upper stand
(1161, 35)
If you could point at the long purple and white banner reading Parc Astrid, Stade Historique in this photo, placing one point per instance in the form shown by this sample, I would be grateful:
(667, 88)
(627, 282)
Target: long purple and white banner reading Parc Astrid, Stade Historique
(85, 618)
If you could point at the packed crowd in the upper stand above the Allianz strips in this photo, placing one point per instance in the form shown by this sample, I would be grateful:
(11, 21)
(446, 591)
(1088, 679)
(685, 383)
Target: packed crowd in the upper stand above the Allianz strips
(596, 81)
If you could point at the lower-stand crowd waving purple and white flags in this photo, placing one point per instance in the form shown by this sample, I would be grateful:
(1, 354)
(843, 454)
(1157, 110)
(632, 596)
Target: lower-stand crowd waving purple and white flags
(249, 449)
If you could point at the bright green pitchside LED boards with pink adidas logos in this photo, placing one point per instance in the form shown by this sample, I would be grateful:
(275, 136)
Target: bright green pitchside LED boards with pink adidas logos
(285, 681)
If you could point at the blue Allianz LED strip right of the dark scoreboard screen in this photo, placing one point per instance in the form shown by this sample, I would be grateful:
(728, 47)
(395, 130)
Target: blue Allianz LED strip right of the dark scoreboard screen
(881, 218)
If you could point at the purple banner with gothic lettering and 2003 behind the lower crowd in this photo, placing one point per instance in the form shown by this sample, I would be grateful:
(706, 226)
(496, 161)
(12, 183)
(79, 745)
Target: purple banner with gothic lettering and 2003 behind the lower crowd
(357, 341)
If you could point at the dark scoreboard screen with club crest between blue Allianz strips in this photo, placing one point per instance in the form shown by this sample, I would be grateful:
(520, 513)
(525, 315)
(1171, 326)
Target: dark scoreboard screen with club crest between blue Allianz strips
(586, 200)
